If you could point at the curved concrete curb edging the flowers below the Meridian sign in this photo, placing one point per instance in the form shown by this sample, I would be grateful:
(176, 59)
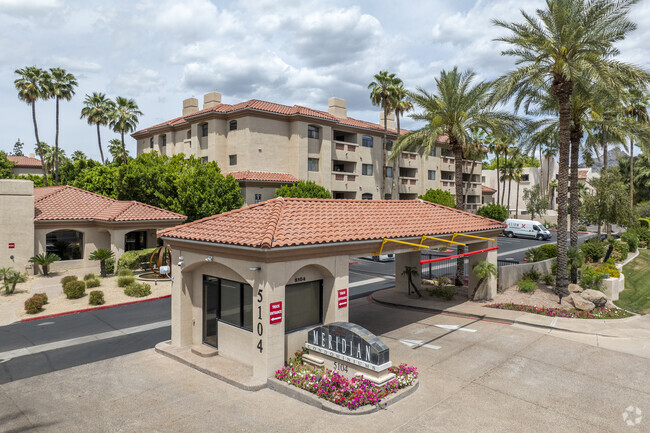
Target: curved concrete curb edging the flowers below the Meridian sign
(312, 400)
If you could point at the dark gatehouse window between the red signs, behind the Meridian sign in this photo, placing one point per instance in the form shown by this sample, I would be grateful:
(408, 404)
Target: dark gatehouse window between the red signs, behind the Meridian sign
(304, 305)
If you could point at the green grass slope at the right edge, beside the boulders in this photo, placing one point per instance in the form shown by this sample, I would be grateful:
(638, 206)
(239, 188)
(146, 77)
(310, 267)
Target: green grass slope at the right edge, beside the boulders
(636, 296)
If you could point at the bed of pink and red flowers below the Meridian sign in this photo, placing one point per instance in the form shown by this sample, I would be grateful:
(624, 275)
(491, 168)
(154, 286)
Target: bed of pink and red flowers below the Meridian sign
(351, 393)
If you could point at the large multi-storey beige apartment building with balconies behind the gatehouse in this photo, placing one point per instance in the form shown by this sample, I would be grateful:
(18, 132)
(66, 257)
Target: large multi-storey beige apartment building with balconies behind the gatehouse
(342, 154)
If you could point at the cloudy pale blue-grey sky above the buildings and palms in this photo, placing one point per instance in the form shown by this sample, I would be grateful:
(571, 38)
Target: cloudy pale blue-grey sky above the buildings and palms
(160, 52)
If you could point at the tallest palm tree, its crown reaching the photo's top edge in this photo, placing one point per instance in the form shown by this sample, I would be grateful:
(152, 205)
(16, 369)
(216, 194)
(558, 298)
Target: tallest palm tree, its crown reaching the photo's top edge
(566, 39)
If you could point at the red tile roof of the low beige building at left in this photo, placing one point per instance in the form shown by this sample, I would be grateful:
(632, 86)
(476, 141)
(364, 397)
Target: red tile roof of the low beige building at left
(54, 203)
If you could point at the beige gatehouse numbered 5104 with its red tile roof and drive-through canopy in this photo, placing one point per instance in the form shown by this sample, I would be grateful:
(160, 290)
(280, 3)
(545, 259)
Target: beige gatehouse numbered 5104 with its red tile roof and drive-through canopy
(251, 282)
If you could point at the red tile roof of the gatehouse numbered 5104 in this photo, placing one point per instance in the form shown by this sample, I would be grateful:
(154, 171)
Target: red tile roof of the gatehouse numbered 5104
(283, 222)
